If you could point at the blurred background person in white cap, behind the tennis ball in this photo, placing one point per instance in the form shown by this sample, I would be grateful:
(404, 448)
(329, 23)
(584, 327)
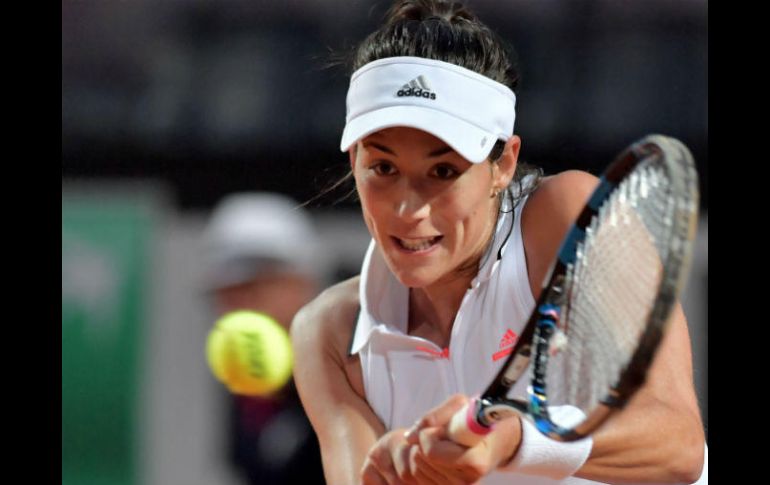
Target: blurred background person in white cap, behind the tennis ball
(263, 254)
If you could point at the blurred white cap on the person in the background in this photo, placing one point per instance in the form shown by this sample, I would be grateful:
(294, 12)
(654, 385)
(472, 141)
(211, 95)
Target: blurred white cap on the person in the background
(252, 233)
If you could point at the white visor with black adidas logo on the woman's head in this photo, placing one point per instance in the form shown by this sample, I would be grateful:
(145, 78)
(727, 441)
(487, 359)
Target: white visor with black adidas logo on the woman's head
(466, 110)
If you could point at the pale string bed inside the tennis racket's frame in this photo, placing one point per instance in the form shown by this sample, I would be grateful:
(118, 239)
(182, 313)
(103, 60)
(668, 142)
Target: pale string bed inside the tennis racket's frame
(614, 283)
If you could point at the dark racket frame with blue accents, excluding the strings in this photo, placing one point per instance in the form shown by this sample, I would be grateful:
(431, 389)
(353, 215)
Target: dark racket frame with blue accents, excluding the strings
(534, 341)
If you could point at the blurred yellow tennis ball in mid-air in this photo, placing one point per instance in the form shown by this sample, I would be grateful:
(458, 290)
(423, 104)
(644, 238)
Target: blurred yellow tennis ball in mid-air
(250, 353)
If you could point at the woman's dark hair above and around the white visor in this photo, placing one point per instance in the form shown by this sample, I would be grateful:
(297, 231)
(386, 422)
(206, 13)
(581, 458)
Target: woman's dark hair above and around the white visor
(449, 32)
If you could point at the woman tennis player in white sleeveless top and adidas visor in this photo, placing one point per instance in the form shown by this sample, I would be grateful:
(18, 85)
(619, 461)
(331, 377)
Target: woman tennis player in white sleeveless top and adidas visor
(462, 237)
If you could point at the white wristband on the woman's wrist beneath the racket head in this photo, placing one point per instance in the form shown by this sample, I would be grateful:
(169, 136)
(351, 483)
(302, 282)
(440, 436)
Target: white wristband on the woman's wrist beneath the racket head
(540, 455)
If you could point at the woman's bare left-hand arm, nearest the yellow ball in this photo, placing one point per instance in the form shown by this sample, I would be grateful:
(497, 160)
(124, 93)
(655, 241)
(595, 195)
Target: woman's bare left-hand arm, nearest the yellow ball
(330, 385)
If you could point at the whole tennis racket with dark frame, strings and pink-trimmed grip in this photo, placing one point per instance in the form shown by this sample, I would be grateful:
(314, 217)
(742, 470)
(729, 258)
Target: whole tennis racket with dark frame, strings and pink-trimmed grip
(606, 301)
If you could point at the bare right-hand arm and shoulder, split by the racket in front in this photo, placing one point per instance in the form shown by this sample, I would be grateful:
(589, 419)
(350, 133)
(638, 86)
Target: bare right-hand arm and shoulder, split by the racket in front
(659, 434)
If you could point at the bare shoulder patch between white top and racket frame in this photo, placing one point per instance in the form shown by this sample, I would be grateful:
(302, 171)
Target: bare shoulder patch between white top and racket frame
(548, 214)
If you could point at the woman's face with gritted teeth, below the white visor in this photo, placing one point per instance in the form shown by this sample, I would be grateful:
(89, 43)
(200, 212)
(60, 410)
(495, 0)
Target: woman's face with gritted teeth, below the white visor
(430, 211)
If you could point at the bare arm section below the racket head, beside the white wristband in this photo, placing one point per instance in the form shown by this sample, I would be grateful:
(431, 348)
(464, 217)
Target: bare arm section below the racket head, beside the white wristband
(659, 434)
